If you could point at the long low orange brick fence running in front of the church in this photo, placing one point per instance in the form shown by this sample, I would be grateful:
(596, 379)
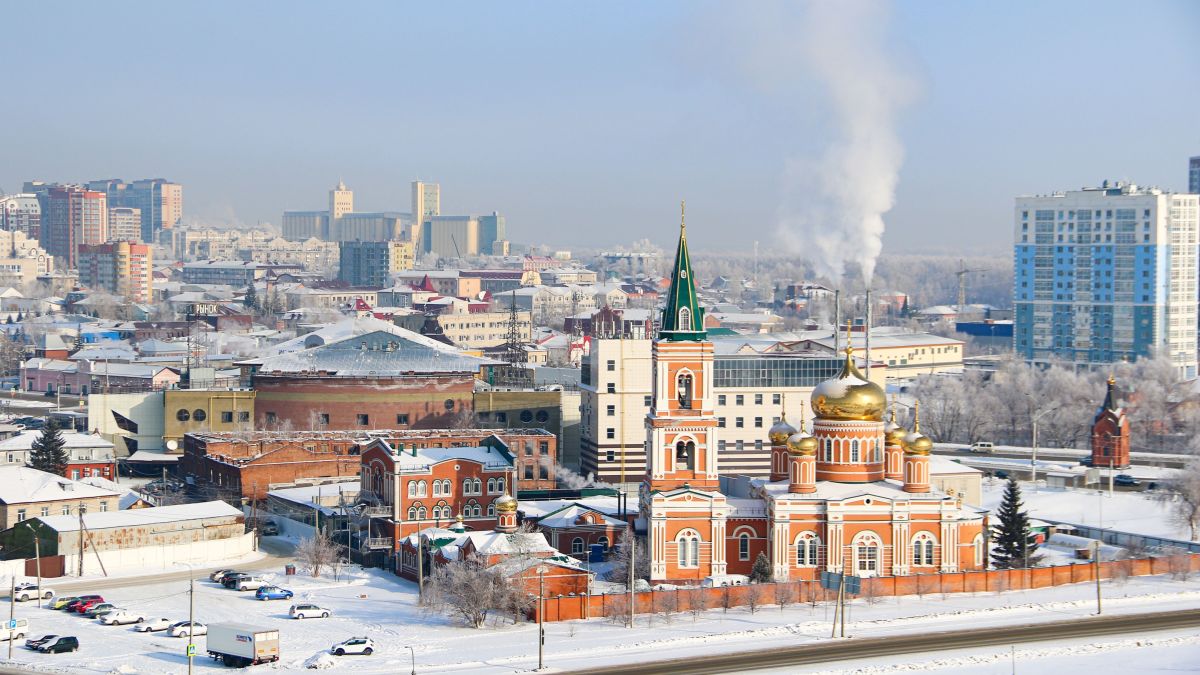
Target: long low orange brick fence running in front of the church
(565, 608)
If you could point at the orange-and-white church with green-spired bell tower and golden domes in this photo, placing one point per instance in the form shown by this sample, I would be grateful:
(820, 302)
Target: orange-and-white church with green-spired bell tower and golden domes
(849, 494)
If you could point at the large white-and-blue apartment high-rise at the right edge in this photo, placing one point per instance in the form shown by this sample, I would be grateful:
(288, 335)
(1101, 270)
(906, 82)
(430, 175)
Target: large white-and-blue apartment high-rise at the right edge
(1106, 274)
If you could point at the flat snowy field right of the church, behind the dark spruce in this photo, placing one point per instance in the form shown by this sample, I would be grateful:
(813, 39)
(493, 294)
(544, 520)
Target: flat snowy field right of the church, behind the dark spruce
(1127, 512)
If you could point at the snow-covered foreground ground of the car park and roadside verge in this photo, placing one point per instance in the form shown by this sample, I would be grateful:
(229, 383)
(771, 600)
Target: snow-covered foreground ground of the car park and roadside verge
(380, 606)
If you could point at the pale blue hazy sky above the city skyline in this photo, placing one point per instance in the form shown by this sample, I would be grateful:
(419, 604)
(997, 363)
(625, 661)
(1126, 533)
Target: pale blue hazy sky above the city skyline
(586, 123)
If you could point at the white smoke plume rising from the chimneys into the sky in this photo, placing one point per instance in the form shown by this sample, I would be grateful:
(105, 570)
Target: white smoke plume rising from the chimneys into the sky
(833, 206)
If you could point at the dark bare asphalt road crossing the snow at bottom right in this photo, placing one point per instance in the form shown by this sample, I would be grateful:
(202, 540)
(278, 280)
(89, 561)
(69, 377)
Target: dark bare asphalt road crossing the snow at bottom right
(842, 650)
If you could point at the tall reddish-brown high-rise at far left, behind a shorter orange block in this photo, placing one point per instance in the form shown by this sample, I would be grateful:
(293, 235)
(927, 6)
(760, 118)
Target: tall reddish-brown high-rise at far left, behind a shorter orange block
(71, 217)
